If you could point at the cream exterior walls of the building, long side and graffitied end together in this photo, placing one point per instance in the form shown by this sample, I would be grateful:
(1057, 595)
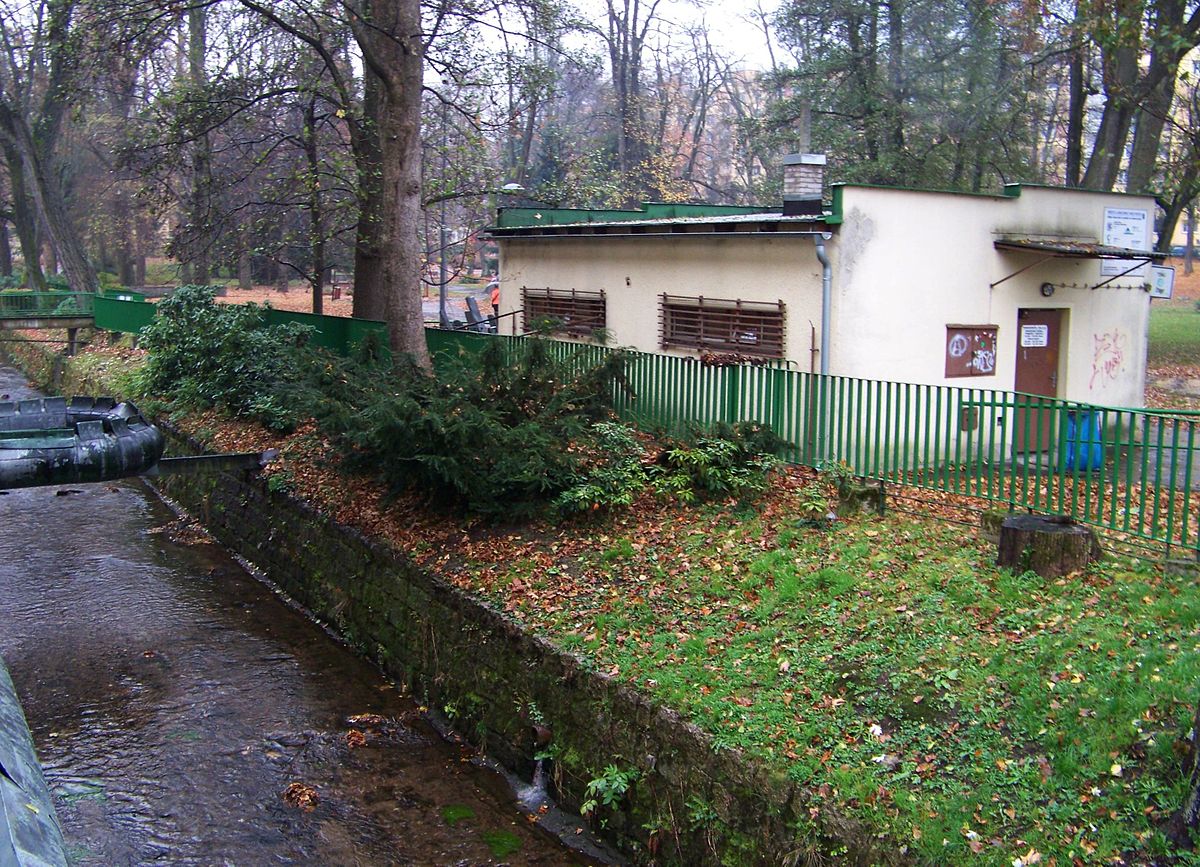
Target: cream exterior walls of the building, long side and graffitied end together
(905, 266)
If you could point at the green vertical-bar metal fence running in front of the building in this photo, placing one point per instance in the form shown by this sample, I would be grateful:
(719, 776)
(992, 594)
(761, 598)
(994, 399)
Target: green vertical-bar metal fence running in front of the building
(1133, 473)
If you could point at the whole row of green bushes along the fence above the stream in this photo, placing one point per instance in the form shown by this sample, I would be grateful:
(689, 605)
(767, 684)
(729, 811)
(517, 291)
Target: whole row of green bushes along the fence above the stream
(502, 434)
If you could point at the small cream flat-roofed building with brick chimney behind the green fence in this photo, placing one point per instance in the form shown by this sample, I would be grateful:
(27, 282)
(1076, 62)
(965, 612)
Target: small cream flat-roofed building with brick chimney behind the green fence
(1036, 290)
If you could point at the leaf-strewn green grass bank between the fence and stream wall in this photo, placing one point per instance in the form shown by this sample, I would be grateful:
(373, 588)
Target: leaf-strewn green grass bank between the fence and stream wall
(967, 713)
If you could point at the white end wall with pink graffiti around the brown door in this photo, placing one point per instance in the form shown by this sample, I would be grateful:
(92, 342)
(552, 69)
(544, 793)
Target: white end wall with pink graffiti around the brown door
(907, 265)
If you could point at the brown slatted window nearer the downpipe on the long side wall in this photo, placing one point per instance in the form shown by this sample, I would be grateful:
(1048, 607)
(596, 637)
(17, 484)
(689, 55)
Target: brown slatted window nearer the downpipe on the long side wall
(753, 328)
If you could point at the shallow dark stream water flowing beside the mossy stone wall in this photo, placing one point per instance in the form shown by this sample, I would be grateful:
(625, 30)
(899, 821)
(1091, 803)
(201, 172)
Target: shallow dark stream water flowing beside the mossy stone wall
(185, 715)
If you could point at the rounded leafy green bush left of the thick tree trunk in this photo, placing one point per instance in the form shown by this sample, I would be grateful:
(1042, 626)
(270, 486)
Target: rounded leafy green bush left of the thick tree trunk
(208, 355)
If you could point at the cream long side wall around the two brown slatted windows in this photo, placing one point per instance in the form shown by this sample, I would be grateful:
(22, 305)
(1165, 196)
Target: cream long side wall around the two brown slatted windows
(635, 272)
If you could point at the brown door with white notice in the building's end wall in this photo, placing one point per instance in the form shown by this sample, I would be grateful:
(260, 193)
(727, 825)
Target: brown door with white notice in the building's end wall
(1037, 373)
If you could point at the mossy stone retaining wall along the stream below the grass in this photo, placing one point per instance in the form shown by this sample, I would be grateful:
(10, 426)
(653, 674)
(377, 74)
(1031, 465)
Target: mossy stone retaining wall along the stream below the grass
(689, 804)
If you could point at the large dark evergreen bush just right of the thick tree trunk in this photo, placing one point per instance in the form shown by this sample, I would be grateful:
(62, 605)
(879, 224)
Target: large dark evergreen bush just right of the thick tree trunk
(496, 437)
